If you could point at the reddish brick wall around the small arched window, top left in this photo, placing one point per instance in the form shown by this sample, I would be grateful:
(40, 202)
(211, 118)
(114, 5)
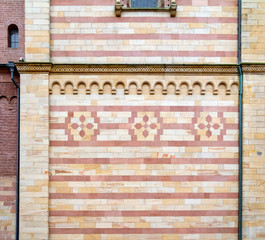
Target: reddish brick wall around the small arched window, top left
(12, 12)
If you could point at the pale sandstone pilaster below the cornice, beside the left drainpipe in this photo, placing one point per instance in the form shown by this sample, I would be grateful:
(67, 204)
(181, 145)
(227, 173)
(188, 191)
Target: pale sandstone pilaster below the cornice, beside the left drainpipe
(34, 157)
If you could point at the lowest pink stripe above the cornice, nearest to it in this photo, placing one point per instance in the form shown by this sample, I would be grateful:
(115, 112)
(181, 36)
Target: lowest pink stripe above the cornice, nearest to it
(143, 53)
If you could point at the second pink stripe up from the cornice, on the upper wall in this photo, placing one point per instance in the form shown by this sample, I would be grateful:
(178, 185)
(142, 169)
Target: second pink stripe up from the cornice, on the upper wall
(163, 36)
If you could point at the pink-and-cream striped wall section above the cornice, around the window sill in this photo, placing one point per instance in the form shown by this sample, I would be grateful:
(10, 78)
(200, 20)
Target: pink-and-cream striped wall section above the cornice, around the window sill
(88, 32)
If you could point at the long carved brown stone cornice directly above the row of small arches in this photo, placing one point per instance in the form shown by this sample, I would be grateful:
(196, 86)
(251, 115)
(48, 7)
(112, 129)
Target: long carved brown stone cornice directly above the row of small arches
(126, 68)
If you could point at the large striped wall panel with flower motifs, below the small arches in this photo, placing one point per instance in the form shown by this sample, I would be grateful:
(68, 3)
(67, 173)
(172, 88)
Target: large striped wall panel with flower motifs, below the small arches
(143, 167)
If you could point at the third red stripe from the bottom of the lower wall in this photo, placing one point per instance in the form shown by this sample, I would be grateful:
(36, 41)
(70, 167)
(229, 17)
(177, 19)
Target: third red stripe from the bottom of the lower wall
(143, 195)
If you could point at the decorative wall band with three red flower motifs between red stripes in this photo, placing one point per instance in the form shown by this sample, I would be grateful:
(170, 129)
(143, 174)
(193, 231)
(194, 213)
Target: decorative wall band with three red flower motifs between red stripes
(145, 125)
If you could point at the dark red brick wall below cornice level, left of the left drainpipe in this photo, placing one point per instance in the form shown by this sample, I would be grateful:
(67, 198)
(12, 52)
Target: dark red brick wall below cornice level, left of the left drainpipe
(8, 144)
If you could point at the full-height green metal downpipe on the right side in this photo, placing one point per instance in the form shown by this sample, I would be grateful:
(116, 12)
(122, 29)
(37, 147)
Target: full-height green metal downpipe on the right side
(240, 167)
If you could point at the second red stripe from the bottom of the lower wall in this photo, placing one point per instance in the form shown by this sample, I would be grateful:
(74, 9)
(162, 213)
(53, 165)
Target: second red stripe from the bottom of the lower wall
(144, 213)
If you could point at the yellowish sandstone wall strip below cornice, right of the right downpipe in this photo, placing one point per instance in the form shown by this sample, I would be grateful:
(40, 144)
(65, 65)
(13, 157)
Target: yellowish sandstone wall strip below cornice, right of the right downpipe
(254, 160)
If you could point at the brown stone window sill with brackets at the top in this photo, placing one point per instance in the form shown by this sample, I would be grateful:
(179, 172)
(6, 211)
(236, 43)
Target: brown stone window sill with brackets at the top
(119, 8)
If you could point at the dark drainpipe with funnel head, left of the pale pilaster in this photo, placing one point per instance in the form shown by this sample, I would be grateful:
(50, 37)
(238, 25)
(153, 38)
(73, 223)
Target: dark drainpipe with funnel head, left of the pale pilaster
(12, 68)
